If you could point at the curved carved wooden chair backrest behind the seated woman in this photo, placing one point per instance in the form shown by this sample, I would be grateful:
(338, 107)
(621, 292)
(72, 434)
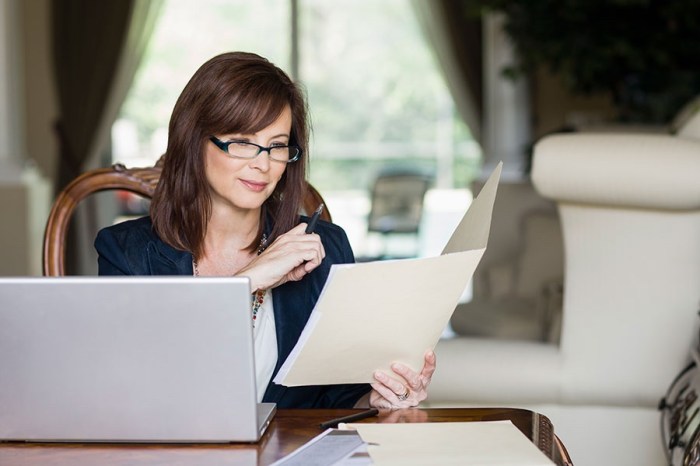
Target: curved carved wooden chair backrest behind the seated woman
(140, 181)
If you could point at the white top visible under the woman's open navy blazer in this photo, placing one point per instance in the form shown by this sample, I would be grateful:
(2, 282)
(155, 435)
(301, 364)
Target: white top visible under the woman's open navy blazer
(265, 337)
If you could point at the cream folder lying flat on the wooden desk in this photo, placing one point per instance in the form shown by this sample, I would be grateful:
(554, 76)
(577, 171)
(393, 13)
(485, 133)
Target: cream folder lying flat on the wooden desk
(496, 443)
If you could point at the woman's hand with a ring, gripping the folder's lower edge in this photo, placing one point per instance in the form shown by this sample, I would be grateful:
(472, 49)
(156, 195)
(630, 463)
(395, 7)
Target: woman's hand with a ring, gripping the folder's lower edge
(404, 388)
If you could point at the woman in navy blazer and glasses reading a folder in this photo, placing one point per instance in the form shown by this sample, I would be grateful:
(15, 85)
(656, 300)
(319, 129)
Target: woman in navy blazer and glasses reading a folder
(227, 204)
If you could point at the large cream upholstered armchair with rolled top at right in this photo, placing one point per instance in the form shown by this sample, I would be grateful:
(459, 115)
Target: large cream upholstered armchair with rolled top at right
(629, 205)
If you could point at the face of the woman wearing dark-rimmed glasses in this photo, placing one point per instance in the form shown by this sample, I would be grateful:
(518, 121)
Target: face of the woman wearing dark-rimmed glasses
(244, 184)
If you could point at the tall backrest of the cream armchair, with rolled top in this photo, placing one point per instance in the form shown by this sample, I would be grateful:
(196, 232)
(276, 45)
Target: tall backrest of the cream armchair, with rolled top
(630, 213)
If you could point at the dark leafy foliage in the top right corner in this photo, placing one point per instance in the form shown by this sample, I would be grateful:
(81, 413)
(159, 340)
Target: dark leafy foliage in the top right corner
(644, 53)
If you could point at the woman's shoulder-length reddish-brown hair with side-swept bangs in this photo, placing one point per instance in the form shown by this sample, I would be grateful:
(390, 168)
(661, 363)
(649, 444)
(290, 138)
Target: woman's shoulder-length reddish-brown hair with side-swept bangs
(234, 92)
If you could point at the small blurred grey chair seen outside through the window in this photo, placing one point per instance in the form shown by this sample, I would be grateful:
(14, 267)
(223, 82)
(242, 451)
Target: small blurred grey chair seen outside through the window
(397, 203)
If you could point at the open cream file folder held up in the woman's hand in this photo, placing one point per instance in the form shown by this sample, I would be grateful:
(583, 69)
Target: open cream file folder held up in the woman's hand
(372, 314)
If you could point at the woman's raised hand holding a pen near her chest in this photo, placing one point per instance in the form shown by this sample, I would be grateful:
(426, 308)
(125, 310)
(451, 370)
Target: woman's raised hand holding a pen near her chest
(289, 258)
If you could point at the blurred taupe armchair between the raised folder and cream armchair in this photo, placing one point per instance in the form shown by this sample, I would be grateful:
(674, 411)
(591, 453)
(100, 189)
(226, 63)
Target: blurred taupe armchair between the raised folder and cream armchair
(520, 297)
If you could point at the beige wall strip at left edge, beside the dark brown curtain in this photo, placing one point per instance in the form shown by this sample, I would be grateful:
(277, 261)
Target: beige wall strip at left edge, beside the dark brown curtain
(28, 147)
